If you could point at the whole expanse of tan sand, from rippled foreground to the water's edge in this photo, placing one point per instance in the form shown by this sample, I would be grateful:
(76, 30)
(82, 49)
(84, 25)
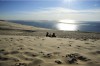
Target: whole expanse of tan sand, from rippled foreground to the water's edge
(22, 45)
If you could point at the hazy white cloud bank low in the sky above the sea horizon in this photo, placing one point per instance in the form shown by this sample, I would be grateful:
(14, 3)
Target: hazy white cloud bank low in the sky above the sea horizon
(59, 13)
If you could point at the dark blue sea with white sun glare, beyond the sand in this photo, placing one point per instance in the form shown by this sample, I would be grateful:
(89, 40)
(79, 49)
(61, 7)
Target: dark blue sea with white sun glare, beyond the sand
(87, 26)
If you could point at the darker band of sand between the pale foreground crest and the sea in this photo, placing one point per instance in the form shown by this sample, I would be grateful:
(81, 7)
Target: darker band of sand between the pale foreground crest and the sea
(24, 30)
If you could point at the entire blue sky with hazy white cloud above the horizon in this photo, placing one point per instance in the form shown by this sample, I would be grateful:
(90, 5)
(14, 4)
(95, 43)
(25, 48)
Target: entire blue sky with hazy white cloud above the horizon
(81, 10)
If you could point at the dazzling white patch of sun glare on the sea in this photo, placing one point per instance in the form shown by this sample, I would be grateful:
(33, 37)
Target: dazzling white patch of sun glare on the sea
(69, 25)
